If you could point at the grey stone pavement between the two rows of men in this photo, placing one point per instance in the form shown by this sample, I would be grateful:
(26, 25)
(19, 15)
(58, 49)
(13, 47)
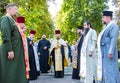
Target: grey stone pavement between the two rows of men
(49, 78)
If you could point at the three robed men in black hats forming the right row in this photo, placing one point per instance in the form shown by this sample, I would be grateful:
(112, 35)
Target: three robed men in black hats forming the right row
(95, 60)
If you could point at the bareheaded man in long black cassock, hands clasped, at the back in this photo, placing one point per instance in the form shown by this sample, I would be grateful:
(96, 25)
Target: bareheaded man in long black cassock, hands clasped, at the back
(43, 52)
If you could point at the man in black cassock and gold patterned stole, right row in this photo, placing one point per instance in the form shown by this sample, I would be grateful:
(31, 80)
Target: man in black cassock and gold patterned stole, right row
(76, 56)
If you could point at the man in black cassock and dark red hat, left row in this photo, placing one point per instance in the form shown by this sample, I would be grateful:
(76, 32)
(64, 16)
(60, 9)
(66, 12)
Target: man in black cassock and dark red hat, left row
(32, 63)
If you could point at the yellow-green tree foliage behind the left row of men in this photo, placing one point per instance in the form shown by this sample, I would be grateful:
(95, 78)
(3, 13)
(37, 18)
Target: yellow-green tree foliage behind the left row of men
(36, 15)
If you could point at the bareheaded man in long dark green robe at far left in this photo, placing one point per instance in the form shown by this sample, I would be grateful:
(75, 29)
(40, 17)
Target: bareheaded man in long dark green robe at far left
(12, 51)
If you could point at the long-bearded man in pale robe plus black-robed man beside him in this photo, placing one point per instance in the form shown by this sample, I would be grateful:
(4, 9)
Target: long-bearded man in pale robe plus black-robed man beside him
(84, 55)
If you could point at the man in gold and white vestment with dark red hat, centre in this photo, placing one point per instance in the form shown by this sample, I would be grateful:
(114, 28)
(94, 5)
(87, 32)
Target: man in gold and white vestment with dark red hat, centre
(59, 55)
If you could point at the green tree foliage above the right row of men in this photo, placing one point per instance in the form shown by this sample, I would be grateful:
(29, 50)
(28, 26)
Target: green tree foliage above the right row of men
(75, 12)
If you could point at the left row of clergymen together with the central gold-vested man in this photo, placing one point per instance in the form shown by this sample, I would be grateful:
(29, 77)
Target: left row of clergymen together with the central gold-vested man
(21, 59)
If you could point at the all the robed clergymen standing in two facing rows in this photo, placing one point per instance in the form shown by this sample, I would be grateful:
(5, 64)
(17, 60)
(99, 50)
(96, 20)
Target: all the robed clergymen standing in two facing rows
(94, 58)
